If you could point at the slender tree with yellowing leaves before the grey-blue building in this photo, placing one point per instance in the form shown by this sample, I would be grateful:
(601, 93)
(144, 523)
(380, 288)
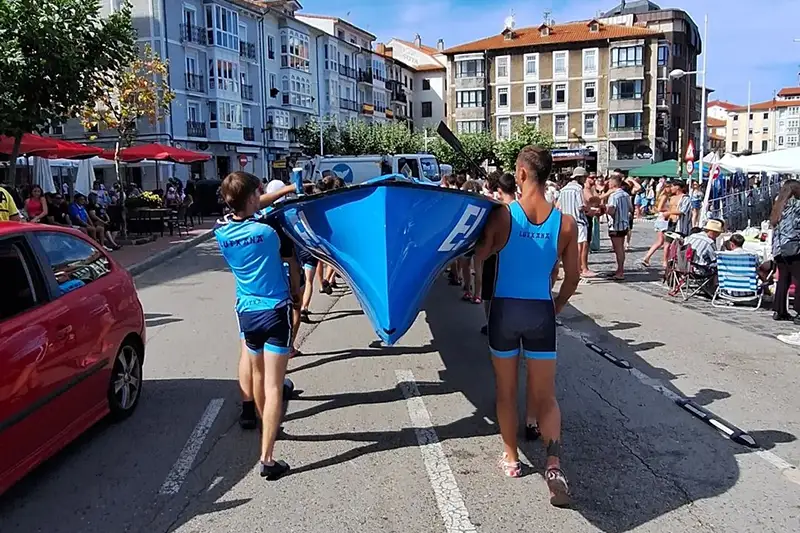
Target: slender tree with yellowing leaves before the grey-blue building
(138, 91)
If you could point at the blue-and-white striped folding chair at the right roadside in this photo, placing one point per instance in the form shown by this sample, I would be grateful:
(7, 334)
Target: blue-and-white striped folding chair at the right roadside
(738, 280)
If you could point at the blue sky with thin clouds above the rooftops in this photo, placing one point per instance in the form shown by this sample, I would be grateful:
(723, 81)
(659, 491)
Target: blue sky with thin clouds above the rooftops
(748, 40)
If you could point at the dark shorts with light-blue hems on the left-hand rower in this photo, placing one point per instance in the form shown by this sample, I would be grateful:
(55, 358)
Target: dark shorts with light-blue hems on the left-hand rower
(268, 330)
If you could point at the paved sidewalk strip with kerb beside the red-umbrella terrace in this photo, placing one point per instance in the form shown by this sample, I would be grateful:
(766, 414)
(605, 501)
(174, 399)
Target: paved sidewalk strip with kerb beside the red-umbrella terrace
(139, 258)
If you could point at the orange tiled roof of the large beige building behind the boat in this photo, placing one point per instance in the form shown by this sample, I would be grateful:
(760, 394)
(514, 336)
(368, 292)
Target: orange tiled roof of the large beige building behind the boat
(571, 32)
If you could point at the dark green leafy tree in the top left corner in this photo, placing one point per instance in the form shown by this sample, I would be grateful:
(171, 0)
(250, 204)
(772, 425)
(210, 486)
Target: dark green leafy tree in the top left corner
(54, 56)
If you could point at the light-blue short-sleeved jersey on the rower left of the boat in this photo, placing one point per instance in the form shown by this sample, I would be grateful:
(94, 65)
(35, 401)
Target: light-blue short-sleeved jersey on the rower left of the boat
(252, 250)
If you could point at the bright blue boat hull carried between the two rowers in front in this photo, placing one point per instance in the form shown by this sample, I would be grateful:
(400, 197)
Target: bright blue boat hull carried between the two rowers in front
(390, 238)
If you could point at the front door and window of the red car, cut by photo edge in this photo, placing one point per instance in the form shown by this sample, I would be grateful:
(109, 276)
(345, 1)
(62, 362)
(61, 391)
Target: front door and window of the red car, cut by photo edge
(30, 346)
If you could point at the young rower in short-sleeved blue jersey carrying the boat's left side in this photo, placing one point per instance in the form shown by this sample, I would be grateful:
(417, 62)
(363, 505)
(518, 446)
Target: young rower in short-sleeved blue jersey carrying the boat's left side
(255, 252)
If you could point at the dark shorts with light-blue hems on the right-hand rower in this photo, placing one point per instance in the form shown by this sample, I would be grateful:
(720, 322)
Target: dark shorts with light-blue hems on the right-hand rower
(528, 323)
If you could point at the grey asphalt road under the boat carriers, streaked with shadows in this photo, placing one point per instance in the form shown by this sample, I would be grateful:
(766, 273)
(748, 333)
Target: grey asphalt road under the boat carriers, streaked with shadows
(404, 439)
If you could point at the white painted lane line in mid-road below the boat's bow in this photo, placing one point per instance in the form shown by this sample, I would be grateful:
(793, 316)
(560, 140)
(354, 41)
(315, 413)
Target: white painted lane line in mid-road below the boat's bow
(448, 498)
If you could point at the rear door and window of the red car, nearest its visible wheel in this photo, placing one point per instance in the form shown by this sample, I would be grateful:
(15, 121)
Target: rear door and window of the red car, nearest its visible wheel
(79, 276)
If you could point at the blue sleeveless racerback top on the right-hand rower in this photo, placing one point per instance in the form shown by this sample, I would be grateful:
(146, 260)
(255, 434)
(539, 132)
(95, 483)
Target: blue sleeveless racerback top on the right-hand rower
(525, 263)
